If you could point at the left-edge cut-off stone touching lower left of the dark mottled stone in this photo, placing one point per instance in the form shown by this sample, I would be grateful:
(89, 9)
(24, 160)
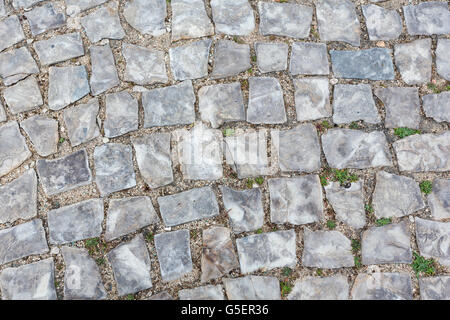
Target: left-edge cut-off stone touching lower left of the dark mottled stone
(19, 198)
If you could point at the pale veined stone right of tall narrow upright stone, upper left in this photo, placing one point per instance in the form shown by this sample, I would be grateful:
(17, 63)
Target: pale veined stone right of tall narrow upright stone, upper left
(144, 66)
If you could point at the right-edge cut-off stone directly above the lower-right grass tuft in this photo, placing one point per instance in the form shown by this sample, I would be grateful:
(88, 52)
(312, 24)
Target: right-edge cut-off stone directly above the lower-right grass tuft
(433, 239)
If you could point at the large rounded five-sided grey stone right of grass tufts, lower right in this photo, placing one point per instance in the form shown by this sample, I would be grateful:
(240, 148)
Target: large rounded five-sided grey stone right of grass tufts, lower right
(396, 196)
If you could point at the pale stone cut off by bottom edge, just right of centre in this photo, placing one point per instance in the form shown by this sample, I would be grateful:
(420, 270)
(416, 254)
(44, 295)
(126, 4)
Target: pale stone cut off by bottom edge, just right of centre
(252, 288)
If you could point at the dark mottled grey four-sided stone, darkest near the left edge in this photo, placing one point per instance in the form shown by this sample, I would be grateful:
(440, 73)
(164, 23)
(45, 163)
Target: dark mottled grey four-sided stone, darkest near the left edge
(63, 174)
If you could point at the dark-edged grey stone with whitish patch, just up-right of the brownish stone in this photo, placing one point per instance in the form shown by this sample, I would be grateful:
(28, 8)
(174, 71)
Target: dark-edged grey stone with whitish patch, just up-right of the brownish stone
(244, 208)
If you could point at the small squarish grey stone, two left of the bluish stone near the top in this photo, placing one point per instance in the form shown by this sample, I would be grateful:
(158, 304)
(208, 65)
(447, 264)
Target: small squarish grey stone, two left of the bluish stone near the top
(271, 56)
